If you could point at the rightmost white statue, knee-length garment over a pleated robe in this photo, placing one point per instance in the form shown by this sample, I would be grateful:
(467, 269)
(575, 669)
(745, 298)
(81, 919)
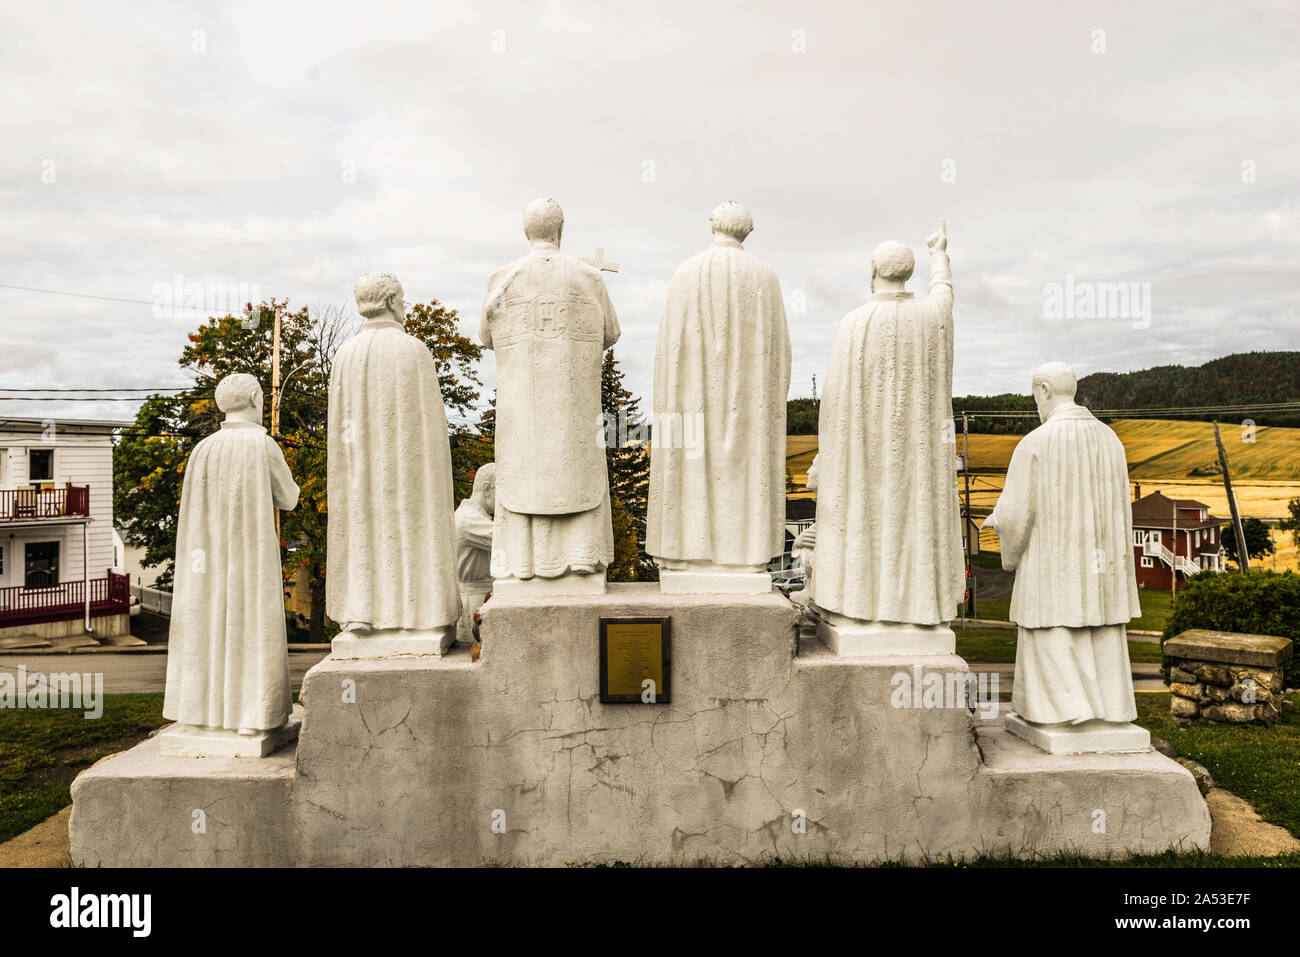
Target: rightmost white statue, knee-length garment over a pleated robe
(1065, 527)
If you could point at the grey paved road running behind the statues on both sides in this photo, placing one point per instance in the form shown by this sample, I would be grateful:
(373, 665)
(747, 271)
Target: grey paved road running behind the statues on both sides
(141, 672)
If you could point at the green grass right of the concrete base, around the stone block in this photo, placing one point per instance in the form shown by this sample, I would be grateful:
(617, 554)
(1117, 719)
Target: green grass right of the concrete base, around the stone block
(1256, 764)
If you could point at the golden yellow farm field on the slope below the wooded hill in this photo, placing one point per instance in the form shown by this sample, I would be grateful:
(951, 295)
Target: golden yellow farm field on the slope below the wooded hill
(1162, 457)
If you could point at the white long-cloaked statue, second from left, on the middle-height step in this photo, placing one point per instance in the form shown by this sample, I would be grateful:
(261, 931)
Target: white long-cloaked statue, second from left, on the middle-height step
(392, 562)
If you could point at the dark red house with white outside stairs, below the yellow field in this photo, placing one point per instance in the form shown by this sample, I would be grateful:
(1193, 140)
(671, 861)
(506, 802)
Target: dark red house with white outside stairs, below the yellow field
(1175, 536)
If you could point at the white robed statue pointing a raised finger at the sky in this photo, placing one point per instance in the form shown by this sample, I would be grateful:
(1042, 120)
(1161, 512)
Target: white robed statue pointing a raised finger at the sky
(890, 565)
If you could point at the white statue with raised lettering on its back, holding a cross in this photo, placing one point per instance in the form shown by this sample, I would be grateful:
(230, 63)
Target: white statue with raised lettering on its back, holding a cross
(549, 321)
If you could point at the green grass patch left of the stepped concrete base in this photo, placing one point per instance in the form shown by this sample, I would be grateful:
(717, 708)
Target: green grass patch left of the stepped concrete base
(42, 751)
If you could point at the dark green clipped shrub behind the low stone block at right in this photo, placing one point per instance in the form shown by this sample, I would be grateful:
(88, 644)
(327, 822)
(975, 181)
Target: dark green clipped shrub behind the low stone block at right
(1259, 603)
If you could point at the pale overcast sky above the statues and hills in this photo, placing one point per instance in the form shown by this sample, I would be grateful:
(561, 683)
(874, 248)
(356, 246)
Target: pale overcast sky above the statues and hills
(294, 148)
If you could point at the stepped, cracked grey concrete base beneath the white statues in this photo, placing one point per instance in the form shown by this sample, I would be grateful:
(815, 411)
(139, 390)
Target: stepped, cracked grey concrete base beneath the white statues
(769, 748)
